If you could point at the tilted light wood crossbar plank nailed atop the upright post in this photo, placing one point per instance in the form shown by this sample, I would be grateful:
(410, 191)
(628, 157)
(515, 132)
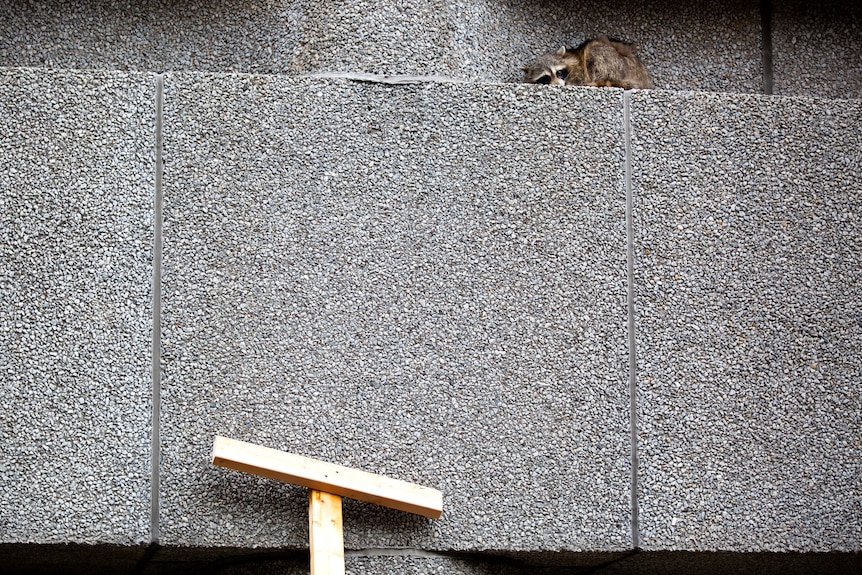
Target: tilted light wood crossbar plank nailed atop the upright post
(327, 477)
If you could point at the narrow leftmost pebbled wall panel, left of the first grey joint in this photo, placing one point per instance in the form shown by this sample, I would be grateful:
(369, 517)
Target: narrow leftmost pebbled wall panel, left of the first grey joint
(76, 228)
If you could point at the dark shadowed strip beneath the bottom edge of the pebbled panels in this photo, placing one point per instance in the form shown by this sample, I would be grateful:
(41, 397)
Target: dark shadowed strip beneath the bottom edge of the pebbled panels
(86, 560)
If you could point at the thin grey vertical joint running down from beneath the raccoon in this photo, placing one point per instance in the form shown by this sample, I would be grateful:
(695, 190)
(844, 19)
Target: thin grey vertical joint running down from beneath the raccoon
(630, 269)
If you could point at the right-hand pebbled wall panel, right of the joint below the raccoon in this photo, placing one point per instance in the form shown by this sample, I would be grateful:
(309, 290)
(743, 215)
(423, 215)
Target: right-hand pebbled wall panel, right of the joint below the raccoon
(748, 285)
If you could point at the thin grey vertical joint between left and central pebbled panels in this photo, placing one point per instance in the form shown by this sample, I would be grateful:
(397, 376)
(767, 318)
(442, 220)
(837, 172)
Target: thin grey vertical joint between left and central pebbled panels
(157, 323)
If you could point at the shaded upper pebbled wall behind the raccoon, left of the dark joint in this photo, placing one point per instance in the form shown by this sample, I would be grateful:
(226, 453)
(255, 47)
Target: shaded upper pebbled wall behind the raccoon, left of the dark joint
(700, 45)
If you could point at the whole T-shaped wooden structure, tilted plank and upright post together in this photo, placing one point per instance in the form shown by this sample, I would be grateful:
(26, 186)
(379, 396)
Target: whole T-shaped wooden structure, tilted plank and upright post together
(327, 484)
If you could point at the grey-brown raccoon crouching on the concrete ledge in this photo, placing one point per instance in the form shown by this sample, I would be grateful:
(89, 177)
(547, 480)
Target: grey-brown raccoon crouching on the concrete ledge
(597, 62)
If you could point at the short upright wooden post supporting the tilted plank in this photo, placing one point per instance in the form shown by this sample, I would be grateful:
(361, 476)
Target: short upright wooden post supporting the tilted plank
(325, 533)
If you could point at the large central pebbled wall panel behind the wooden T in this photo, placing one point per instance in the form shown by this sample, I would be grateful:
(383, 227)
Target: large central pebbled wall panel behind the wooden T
(421, 281)
